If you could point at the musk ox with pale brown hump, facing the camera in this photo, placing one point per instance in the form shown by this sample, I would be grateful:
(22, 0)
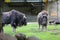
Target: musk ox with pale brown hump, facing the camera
(42, 19)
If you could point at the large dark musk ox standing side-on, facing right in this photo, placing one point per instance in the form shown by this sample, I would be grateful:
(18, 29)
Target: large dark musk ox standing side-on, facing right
(13, 17)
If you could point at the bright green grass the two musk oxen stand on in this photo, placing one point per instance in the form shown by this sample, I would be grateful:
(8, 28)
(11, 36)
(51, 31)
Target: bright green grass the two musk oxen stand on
(52, 33)
